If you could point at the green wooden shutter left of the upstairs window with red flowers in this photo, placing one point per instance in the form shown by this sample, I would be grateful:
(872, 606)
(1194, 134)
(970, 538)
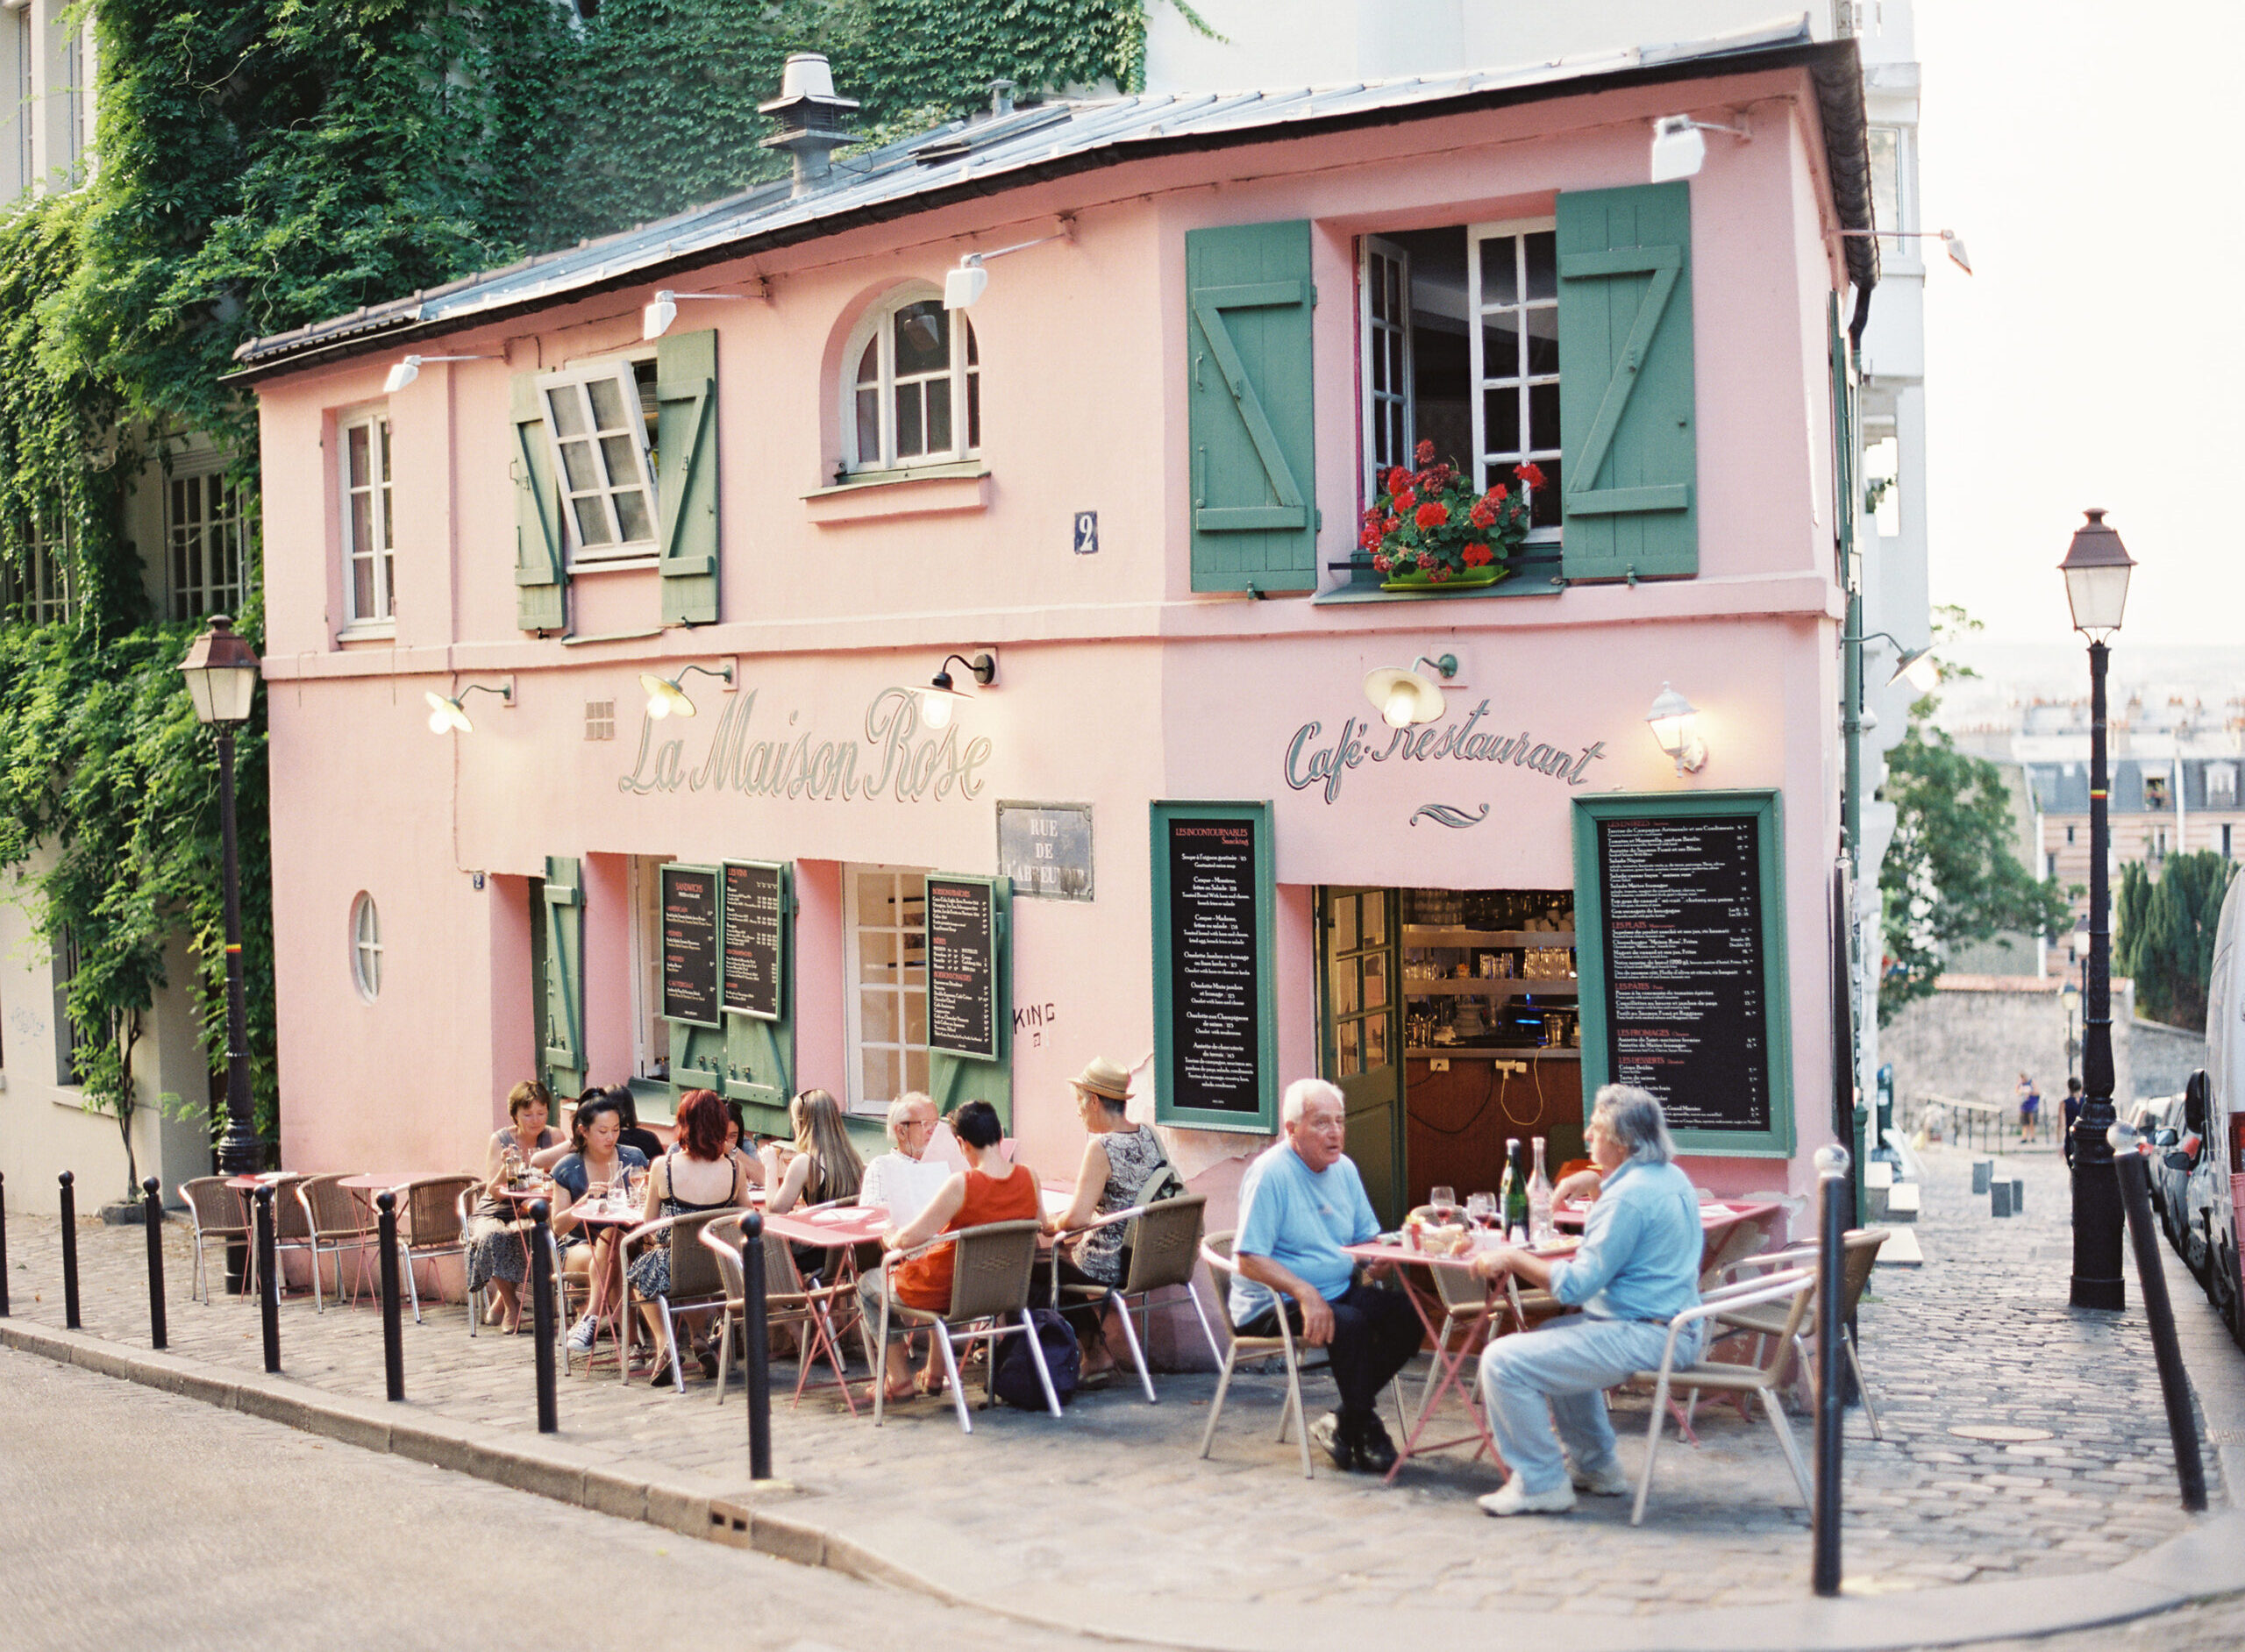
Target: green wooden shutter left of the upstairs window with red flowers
(1254, 477)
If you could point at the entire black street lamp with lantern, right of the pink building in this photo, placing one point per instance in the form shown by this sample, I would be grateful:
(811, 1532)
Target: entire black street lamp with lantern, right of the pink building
(2098, 591)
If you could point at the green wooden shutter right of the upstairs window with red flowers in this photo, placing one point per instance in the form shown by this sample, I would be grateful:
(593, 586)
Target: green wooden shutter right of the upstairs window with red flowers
(1627, 383)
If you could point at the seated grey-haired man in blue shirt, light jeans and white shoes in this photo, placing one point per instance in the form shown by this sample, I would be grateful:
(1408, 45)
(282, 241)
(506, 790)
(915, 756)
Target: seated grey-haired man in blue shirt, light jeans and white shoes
(1638, 1267)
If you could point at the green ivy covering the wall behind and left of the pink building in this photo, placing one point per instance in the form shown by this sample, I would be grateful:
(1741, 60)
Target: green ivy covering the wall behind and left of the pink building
(273, 163)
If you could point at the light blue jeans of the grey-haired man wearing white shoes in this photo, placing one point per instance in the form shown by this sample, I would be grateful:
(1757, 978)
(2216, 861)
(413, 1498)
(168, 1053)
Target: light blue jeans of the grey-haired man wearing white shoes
(1559, 1375)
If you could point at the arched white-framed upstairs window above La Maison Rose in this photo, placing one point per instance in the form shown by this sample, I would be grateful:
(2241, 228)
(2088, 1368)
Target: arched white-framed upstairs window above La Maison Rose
(913, 387)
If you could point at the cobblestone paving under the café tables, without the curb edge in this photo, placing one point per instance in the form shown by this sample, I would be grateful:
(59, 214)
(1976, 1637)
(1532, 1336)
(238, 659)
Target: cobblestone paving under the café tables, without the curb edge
(1979, 1337)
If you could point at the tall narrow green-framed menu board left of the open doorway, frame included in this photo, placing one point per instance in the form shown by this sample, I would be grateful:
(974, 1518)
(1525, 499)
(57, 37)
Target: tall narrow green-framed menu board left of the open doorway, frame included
(1213, 964)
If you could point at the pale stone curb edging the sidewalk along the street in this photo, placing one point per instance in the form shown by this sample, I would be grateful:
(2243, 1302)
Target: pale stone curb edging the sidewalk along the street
(2203, 1563)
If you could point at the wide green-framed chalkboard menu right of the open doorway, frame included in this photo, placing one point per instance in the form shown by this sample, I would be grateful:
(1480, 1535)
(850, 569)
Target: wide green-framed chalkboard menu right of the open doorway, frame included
(1687, 991)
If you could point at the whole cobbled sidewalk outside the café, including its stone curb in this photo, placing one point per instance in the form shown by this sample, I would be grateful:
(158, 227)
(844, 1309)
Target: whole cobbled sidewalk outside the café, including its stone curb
(1110, 1523)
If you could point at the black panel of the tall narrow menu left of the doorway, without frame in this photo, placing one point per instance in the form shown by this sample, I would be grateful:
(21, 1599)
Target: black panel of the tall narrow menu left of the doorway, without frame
(1216, 966)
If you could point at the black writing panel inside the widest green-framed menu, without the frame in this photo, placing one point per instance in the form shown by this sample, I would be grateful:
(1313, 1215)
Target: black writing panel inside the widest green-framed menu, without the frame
(1683, 946)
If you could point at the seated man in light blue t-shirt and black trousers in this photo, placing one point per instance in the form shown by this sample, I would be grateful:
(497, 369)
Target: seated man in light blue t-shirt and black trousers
(1299, 1206)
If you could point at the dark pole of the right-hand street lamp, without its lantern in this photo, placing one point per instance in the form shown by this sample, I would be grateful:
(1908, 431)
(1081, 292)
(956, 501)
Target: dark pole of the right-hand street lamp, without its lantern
(2096, 1184)
